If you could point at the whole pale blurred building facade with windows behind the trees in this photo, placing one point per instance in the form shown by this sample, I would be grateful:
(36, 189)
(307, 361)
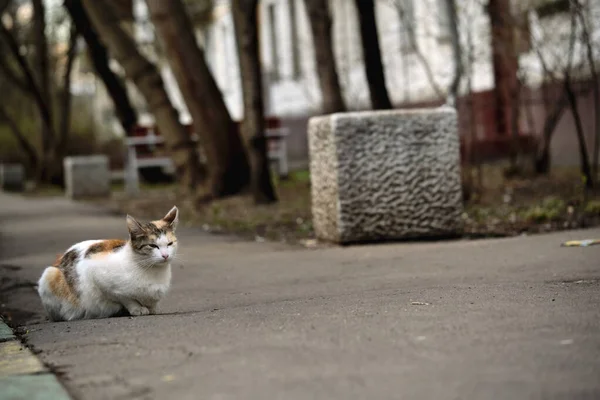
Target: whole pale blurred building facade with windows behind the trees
(416, 53)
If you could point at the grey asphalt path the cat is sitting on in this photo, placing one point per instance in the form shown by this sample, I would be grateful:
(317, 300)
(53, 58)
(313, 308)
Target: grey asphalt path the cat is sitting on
(501, 319)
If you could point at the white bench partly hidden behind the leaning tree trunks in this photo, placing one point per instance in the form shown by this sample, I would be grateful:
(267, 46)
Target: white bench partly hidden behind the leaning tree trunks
(276, 142)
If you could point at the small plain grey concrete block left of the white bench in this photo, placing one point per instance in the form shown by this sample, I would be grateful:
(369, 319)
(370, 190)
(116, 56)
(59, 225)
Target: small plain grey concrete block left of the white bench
(87, 176)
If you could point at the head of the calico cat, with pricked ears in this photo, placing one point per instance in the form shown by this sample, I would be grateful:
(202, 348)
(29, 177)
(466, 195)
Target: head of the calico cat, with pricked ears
(155, 241)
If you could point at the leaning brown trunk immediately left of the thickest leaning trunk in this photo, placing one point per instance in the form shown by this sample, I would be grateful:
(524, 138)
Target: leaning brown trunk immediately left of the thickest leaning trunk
(148, 80)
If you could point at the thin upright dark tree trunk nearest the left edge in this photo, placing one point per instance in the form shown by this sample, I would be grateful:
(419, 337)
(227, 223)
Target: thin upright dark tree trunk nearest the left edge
(44, 85)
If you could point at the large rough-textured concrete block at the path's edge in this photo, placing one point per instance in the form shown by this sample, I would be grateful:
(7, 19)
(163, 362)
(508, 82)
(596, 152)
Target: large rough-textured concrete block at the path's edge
(385, 175)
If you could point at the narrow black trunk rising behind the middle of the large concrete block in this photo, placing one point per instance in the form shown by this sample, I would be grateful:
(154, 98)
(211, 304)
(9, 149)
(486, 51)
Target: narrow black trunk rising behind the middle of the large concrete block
(380, 99)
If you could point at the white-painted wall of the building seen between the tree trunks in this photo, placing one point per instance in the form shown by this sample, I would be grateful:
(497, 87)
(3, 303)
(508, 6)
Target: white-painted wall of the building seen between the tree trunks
(290, 96)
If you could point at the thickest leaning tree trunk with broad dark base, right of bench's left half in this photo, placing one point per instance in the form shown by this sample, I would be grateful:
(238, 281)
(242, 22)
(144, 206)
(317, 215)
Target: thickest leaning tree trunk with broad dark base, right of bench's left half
(228, 167)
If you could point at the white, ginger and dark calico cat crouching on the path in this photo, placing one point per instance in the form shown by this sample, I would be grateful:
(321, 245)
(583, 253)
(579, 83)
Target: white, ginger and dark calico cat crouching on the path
(105, 278)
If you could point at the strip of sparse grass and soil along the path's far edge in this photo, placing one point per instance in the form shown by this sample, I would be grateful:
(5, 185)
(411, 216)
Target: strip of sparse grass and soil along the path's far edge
(506, 207)
